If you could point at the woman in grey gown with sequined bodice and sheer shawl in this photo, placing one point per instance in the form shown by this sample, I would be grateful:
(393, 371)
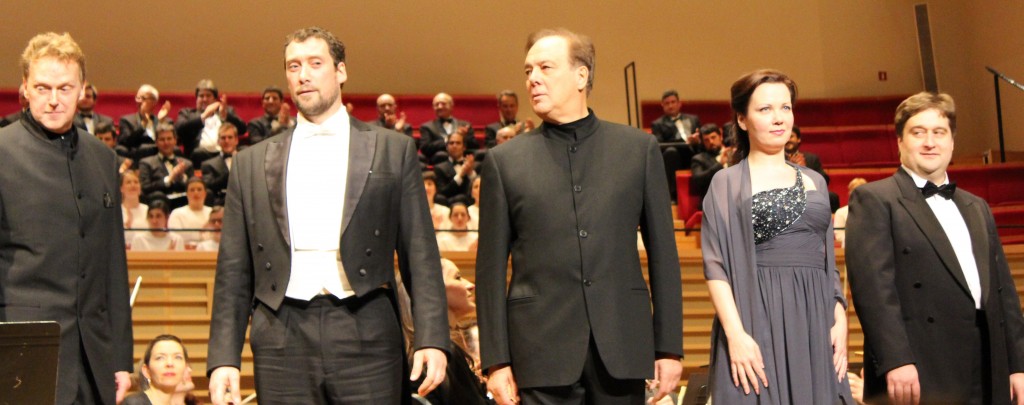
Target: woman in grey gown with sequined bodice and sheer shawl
(781, 332)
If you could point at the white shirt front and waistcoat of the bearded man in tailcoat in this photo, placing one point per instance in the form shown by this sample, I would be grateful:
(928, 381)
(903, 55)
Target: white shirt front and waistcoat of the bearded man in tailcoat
(317, 173)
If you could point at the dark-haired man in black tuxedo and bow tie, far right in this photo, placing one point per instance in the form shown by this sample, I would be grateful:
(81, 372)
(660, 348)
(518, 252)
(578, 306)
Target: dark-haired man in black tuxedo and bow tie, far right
(933, 292)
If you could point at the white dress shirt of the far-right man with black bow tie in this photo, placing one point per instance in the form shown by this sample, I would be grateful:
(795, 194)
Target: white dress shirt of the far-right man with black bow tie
(956, 229)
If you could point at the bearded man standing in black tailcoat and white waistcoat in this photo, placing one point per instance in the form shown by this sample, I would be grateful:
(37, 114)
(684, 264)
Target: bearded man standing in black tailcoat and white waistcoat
(313, 221)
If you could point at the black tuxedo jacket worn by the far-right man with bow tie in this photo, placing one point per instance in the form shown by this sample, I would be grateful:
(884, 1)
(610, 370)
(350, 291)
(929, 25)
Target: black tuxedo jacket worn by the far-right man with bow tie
(913, 300)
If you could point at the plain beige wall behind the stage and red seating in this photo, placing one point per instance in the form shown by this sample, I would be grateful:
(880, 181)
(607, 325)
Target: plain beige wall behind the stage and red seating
(832, 49)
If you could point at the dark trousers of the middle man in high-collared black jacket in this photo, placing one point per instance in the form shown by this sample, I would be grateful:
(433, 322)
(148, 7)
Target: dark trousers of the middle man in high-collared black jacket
(596, 387)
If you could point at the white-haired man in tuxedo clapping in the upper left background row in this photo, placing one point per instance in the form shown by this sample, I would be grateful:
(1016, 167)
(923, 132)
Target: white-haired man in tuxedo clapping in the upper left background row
(139, 131)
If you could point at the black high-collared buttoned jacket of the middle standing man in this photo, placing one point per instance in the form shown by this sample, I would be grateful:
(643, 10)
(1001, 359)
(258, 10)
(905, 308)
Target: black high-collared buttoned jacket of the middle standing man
(570, 219)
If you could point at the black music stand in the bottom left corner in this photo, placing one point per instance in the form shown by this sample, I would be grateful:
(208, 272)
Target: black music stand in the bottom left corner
(30, 351)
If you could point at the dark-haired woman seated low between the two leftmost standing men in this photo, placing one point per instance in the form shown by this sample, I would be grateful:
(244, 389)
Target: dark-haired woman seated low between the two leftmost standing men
(166, 376)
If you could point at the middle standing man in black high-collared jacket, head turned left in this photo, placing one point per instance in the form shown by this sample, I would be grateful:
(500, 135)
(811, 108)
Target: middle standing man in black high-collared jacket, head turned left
(566, 201)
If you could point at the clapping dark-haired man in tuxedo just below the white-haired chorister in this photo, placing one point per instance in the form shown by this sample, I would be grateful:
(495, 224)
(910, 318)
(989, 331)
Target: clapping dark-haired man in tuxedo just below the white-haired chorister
(165, 175)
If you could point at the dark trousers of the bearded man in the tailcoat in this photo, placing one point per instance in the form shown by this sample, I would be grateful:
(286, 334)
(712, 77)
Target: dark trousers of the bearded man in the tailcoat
(329, 351)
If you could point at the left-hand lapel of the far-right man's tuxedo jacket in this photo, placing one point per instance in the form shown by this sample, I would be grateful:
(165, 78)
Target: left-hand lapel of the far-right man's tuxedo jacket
(915, 204)
